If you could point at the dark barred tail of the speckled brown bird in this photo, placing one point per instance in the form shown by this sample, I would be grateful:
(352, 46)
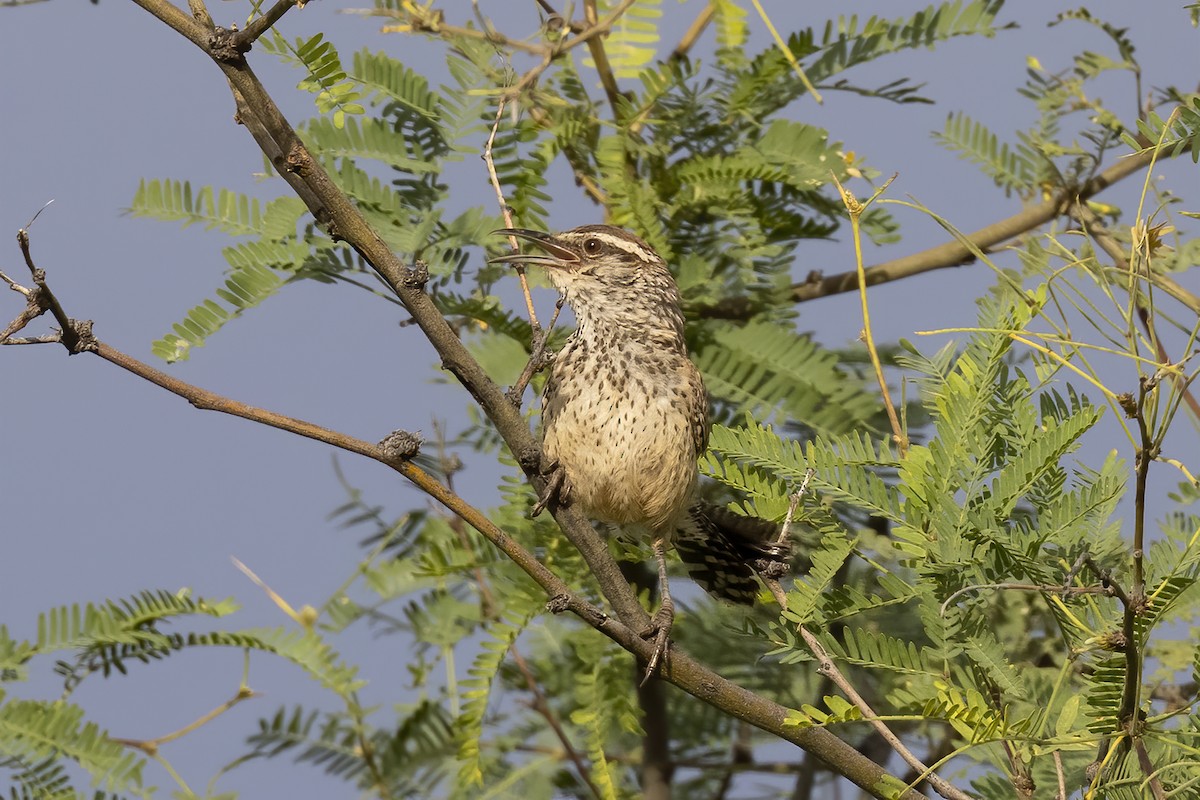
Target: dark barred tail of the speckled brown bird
(724, 551)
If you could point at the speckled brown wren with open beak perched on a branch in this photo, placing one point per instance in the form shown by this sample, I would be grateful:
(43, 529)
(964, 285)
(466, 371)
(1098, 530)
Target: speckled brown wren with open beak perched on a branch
(626, 418)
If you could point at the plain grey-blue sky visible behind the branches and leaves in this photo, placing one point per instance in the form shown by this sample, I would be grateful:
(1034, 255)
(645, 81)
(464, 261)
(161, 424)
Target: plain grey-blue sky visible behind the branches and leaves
(112, 486)
